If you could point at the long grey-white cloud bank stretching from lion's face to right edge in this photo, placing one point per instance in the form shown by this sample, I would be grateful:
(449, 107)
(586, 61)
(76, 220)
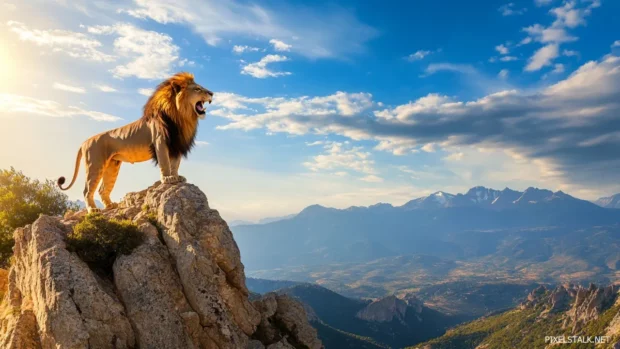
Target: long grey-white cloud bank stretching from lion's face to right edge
(562, 127)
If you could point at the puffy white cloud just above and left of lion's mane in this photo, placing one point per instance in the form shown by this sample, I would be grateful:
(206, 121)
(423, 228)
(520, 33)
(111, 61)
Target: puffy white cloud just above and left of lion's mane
(151, 54)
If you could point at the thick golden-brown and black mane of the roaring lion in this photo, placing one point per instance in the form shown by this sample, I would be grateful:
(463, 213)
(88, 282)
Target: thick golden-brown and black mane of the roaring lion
(178, 125)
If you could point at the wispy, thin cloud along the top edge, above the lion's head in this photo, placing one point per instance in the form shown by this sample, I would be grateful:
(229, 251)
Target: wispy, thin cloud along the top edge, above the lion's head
(321, 32)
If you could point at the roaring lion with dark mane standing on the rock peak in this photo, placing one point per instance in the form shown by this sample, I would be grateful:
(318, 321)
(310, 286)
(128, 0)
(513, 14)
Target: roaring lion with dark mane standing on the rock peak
(165, 133)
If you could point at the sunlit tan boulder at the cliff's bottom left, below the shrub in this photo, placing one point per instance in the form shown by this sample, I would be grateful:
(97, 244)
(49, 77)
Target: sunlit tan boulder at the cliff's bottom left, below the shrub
(72, 306)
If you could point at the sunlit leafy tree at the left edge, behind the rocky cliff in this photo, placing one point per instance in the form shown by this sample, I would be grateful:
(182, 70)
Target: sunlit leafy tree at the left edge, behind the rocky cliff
(22, 200)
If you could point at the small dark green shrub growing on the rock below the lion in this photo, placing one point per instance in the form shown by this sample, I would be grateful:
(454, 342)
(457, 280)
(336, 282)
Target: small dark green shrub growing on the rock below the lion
(98, 240)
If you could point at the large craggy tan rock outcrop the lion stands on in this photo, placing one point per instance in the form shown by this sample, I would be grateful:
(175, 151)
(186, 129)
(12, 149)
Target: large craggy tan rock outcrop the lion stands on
(183, 287)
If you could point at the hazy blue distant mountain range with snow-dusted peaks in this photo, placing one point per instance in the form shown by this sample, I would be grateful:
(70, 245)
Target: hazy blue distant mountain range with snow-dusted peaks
(427, 225)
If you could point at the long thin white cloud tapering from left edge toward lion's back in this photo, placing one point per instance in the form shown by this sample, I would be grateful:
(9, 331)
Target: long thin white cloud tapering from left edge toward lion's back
(11, 104)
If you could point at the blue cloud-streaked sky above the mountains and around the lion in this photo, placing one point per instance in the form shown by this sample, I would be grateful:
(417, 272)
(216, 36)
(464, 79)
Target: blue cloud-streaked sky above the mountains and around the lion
(347, 103)
